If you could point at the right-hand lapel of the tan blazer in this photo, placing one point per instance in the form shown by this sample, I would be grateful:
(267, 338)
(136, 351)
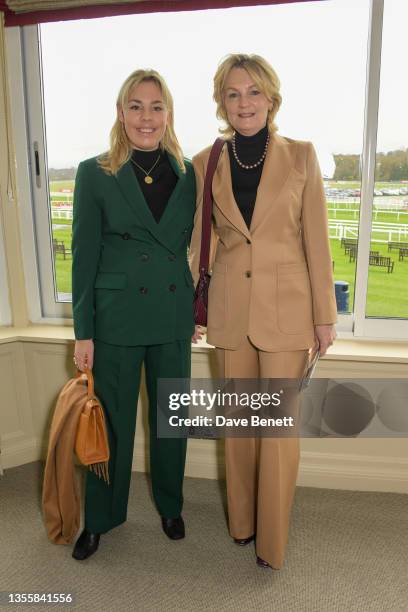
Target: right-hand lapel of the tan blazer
(279, 161)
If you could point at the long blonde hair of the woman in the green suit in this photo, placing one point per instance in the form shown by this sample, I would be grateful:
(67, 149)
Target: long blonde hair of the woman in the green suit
(120, 149)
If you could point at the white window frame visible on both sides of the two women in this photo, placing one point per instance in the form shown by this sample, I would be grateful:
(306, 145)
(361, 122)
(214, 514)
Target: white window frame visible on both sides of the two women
(28, 124)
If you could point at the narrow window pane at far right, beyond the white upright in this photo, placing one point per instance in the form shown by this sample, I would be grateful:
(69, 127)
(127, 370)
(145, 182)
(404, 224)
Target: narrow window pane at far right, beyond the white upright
(388, 270)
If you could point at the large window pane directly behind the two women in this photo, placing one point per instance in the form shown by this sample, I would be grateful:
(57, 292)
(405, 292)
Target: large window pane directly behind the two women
(323, 82)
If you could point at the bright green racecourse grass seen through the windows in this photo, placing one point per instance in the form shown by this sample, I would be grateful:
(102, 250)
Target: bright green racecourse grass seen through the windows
(387, 293)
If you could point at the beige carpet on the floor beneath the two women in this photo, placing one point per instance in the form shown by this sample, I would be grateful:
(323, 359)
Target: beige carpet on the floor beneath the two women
(348, 552)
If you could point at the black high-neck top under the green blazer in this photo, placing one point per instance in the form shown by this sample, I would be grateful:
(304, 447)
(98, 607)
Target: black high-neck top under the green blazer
(156, 194)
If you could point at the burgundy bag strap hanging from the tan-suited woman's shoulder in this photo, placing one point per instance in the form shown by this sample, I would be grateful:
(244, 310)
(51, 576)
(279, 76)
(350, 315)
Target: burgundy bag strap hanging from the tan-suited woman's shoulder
(208, 204)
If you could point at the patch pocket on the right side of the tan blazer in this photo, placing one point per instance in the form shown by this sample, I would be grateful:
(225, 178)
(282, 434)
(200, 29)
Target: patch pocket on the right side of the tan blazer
(294, 299)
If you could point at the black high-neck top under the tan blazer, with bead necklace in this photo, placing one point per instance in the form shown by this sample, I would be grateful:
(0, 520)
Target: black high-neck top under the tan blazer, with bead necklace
(245, 182)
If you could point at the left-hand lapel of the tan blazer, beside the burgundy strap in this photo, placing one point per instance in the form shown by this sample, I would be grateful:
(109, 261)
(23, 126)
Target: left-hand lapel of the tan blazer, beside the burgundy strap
(224, 196)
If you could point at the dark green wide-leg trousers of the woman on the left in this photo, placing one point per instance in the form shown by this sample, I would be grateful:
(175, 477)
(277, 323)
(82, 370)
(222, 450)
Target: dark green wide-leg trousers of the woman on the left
(117, 374)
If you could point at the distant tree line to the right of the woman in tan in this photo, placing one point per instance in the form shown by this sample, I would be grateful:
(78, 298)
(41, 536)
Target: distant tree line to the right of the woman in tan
(391, 166)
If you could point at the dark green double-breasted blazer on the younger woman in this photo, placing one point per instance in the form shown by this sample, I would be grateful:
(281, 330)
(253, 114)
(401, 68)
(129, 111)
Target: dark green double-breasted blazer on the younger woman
(131, 283)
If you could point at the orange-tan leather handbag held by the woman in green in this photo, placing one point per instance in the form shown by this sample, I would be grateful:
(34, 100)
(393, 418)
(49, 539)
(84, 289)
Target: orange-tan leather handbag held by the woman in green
(91, 445)
